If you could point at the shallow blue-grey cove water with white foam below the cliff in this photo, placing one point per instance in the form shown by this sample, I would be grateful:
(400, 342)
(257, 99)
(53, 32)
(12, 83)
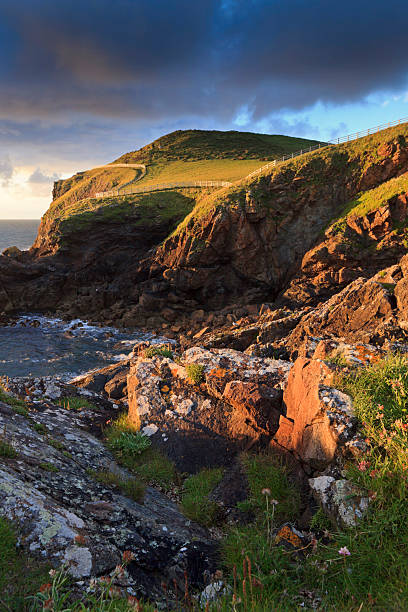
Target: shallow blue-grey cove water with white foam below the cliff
(49, 350)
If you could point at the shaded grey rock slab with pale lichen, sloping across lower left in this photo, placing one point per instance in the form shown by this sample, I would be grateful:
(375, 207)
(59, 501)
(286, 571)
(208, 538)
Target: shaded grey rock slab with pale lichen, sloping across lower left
(66, 516)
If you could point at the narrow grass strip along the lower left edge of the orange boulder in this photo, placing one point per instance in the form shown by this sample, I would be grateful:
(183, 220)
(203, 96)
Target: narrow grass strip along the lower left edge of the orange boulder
(150, 466)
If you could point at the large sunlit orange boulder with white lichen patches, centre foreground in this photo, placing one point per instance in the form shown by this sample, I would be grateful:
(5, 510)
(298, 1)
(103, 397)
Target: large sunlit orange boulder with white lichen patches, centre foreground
(204, 424)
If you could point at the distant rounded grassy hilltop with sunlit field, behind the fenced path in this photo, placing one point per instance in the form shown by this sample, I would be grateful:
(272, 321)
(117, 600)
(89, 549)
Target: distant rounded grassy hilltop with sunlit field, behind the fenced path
(180, 156)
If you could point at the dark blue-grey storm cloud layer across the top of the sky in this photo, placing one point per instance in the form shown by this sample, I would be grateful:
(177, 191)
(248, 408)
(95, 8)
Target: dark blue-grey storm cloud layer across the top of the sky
(156, 59)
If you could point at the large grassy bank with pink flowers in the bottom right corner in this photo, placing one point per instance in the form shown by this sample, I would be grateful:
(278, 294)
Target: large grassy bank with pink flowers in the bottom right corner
(375, 575)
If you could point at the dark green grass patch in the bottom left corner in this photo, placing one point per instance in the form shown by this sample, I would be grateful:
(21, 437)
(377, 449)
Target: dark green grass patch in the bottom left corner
(20, 576)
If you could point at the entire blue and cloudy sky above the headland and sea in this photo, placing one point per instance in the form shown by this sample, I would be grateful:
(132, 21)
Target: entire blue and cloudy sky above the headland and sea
(84, 81)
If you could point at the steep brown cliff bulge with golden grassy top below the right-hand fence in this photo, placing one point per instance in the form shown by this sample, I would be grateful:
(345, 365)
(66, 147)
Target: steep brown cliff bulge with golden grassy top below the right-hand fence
(252, 238)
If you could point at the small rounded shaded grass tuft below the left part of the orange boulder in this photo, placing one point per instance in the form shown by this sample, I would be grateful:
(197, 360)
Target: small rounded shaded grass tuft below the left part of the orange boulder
(194, 501)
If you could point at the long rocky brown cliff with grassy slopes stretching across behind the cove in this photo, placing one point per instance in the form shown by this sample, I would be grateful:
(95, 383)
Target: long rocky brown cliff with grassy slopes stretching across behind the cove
(289, 234)
